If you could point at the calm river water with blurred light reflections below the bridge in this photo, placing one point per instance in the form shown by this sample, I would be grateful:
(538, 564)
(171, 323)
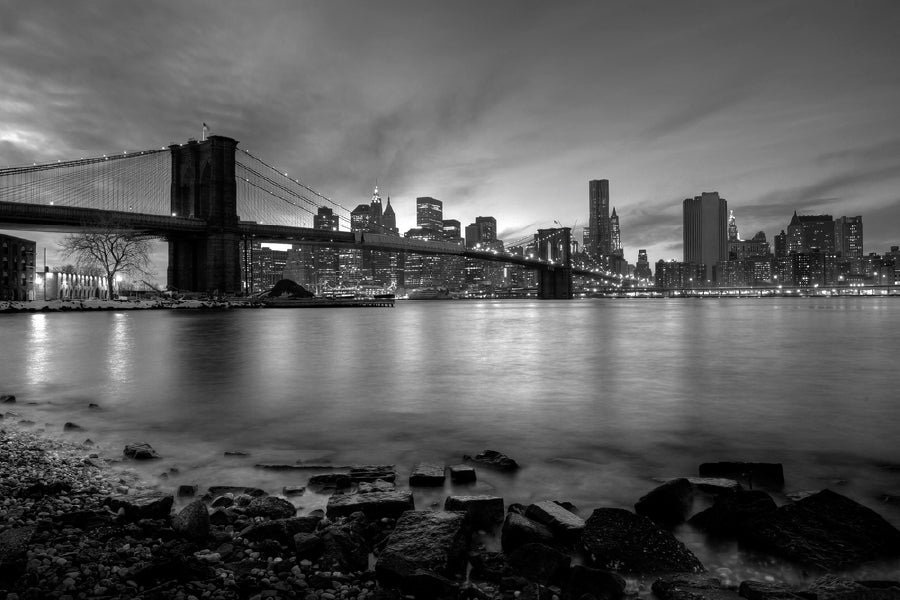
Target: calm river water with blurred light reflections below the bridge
(595, 398)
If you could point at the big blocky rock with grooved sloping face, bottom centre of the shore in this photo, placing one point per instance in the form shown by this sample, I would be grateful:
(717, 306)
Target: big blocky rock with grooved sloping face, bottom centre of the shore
(423, 544)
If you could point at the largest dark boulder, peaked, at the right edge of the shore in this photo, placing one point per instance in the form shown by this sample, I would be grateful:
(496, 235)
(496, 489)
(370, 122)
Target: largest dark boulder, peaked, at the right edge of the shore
(826, 531)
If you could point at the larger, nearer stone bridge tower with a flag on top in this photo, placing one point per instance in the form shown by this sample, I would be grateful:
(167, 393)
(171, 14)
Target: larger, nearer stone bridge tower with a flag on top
(203, 187)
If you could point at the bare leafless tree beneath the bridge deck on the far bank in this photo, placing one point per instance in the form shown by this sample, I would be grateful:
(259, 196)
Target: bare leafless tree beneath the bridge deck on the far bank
(111, 248)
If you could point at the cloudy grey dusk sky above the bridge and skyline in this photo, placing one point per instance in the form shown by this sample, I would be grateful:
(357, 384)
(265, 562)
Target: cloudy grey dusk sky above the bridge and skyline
(500, 108)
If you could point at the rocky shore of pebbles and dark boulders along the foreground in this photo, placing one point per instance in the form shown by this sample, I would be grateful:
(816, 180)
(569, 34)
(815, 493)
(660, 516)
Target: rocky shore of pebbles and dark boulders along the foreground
(73, 526)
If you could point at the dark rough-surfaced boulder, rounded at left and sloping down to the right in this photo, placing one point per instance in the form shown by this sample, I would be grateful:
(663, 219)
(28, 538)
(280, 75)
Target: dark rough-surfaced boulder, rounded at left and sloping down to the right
(620, 540)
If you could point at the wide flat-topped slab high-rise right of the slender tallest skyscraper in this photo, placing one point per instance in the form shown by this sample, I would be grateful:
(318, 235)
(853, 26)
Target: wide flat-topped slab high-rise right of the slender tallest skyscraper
(705, 231)
